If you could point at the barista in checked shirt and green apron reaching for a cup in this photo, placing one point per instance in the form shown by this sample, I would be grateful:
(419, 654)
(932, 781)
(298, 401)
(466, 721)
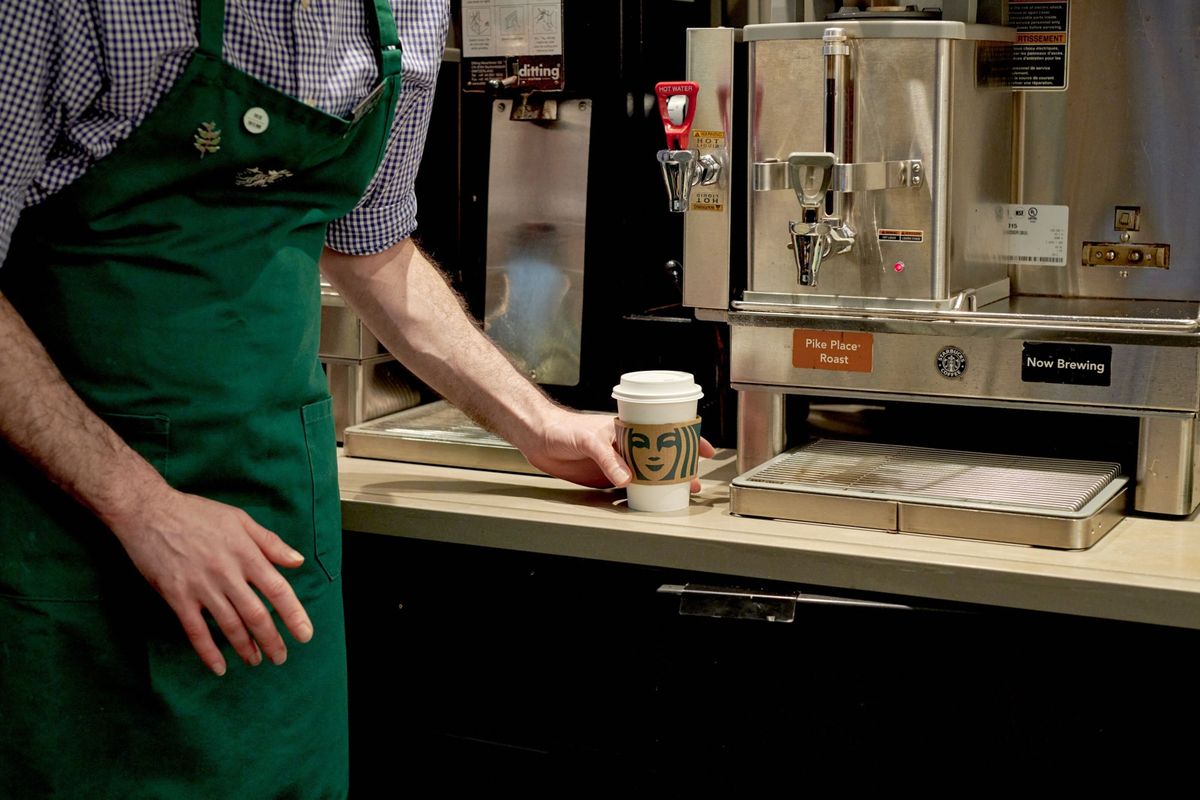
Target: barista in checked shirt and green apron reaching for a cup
(160, 393)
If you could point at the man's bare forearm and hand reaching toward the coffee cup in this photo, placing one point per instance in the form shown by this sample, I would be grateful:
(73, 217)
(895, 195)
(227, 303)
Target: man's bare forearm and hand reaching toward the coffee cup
(407, 304)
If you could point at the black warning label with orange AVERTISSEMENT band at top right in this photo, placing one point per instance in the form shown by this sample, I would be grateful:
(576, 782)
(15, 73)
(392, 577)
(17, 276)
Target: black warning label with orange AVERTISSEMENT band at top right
(1040, 57)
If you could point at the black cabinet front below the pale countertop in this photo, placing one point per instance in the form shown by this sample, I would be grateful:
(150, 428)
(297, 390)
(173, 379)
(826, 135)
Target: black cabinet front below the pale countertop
(493, 669)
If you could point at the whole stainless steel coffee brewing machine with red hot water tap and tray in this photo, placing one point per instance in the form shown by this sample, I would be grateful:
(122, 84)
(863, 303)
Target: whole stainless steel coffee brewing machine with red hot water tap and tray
(941, 212)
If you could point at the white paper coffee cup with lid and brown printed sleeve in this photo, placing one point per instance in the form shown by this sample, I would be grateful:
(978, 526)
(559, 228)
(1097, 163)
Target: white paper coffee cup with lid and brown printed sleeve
(658, 435)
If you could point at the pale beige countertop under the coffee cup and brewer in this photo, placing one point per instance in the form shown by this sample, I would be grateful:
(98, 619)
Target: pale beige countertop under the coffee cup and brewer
(1145, 570)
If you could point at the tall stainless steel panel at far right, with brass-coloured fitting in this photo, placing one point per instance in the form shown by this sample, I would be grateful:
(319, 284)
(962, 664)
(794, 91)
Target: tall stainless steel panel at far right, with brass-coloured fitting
(1125, 133)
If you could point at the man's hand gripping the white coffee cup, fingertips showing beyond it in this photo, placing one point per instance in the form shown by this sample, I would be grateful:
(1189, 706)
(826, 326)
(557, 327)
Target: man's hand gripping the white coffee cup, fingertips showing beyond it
(579, 448)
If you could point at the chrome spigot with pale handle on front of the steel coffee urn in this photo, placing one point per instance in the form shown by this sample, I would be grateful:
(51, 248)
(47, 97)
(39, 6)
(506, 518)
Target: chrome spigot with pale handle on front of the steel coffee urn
(815, 237)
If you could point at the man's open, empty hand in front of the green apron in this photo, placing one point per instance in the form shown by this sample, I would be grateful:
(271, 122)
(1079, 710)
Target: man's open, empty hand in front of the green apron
(206, 556)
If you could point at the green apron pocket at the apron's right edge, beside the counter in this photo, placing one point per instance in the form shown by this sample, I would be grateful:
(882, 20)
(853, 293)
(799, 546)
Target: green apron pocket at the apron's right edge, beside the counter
(327, 503)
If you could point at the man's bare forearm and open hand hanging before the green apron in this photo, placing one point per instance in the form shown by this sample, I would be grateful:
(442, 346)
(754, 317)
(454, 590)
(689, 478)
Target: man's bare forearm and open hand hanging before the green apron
(197, 554)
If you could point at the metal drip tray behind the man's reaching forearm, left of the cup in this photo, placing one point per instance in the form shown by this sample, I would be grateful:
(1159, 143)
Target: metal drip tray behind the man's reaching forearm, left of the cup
(435, 434)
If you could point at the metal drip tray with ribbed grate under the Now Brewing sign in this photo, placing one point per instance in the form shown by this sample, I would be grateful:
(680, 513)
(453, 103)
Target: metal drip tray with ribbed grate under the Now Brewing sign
(1024, 501)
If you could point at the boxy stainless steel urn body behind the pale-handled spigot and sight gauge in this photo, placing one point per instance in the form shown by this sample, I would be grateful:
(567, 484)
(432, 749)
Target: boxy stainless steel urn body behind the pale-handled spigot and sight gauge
(914, 97)
